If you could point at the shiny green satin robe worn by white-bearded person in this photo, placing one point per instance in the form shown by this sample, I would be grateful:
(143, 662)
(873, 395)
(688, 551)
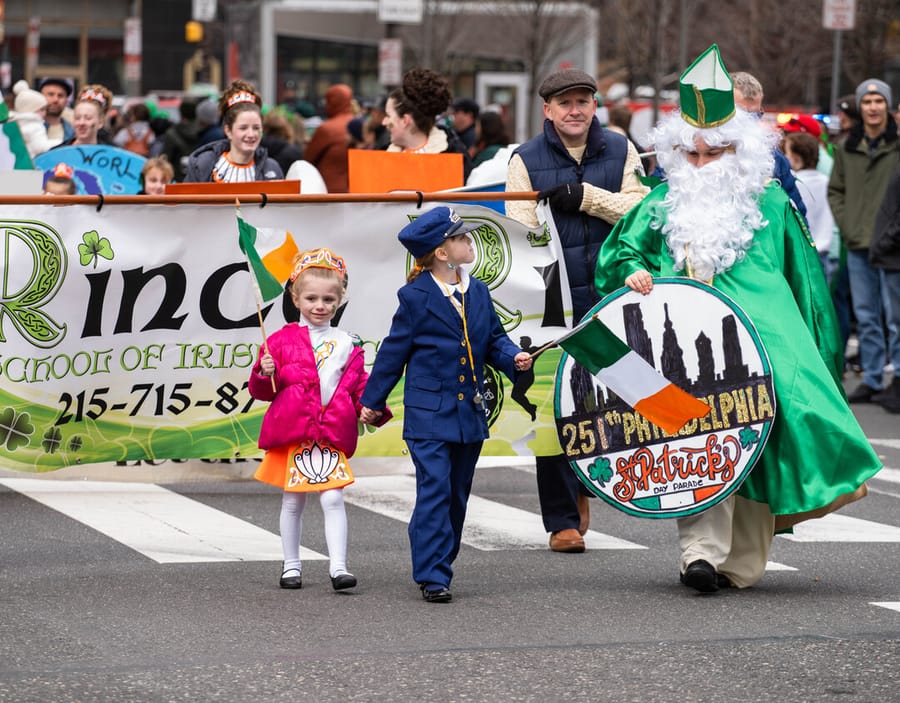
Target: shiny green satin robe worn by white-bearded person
(816, 450)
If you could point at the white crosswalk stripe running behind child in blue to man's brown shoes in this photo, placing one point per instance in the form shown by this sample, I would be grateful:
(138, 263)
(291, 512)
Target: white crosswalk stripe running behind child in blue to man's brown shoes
(489, 525)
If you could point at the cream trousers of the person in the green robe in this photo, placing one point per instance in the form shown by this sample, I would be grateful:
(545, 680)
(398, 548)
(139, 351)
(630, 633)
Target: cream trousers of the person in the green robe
(734, 536)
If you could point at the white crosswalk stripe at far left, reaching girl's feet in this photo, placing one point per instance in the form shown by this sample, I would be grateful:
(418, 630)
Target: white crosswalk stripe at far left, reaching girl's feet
(160, 524)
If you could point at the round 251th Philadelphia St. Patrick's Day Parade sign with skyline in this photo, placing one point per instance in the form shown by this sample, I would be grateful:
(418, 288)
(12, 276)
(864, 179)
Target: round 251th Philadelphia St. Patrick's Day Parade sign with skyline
(698, 340)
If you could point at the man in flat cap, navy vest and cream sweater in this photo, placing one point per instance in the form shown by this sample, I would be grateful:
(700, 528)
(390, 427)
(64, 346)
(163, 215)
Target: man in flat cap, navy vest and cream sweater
(589, 176)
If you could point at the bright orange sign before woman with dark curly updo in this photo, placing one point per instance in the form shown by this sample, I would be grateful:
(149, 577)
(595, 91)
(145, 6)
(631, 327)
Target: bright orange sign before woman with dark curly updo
(383, 172)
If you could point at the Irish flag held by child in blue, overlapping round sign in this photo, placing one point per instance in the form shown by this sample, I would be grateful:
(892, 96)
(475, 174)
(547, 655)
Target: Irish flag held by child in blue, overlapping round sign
(593, 345)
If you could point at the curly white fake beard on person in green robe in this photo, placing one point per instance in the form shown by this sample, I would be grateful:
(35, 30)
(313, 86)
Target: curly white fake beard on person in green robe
(712, 213)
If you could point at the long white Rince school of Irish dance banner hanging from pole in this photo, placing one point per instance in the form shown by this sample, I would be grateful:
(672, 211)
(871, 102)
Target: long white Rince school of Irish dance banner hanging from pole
(129, 333)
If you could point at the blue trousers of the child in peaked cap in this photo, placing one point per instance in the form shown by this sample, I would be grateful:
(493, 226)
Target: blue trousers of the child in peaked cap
(444, 473)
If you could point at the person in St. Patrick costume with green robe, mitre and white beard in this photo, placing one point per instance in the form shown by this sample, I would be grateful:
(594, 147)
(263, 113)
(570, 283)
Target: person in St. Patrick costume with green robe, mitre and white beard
(721, 219)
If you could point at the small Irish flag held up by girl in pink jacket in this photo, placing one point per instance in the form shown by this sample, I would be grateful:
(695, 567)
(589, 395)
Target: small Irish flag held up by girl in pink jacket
(270, 253)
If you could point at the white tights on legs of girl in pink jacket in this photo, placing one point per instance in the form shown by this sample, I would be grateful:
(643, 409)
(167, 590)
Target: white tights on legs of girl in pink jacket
(291, 525)
